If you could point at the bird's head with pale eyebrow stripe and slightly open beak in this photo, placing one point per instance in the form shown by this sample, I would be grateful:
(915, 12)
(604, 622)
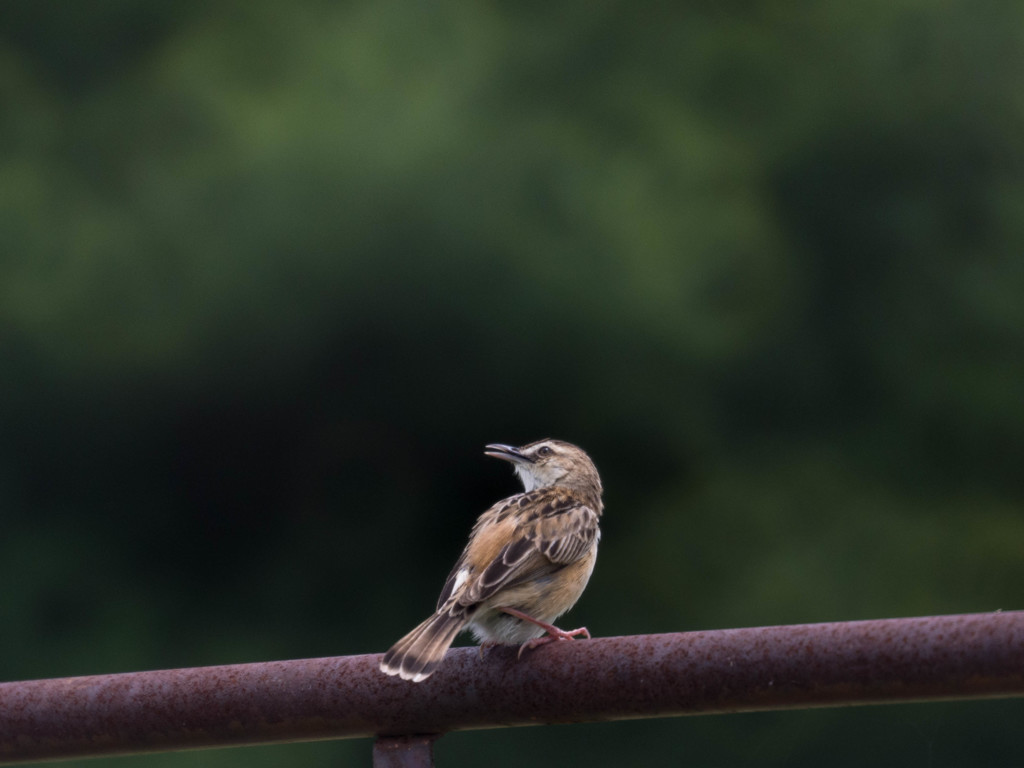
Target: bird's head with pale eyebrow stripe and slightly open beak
(548, 463)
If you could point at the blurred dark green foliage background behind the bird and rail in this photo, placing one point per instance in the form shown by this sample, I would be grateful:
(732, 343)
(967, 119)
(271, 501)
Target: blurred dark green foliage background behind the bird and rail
(272, 275)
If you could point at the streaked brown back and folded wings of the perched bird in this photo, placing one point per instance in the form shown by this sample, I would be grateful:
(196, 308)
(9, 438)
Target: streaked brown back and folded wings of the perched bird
(522, 539)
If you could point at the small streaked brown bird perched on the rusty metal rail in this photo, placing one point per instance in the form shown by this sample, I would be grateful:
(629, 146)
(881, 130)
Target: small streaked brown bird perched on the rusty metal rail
(528, 562)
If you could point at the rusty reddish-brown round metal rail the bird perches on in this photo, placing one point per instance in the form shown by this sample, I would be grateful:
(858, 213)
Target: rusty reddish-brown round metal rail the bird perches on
(824, 665)
